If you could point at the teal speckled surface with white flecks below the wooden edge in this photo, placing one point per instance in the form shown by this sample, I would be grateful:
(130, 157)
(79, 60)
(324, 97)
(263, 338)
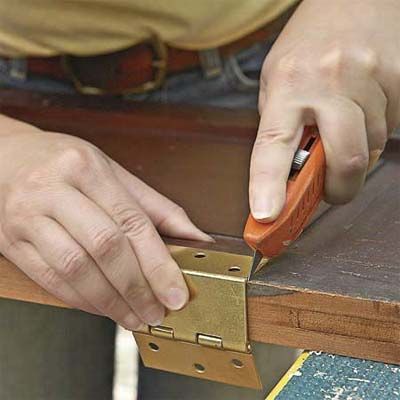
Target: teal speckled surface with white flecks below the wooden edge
(330, 377)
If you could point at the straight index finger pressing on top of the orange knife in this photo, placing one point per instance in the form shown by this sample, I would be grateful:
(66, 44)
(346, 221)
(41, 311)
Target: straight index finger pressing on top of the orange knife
(278, 137)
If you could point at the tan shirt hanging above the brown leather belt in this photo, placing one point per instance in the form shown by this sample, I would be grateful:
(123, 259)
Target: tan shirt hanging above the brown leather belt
(83, 27)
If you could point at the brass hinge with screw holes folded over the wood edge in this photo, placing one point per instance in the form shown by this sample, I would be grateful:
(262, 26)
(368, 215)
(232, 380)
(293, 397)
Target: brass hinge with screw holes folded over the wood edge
(207, 339)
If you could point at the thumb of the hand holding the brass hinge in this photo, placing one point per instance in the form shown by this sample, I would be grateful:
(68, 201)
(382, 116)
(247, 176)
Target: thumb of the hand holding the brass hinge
(169, 219)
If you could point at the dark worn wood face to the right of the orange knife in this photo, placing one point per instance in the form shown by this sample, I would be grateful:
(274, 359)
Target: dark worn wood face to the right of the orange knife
(353, 250)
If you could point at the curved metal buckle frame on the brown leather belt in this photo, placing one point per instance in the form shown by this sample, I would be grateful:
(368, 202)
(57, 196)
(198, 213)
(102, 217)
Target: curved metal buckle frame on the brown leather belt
(159, 64)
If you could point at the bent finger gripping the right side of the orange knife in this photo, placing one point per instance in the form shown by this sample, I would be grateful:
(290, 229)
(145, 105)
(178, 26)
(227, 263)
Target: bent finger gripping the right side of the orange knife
(343, 132)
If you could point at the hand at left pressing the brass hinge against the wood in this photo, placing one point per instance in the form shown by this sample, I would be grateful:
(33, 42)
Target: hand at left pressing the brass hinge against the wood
(85, 229)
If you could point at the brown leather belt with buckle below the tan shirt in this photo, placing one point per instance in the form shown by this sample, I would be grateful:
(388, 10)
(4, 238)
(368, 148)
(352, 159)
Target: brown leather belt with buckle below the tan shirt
(145, 66)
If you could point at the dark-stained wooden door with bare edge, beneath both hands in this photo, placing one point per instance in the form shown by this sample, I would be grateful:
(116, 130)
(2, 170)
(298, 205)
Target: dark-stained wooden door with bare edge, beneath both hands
(337, 289)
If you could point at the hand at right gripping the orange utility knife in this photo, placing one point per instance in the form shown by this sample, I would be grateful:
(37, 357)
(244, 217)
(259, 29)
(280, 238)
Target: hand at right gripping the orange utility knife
(336, 65)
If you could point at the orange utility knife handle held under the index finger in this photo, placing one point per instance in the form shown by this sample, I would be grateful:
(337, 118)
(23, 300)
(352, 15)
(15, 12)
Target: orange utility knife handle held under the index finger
(305, 189)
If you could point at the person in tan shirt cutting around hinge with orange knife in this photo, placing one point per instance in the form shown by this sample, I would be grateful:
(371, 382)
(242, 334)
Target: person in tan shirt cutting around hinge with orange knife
(88, 231)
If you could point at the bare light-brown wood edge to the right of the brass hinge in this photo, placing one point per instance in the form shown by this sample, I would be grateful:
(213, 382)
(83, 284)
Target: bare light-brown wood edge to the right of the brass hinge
(354, 327)
